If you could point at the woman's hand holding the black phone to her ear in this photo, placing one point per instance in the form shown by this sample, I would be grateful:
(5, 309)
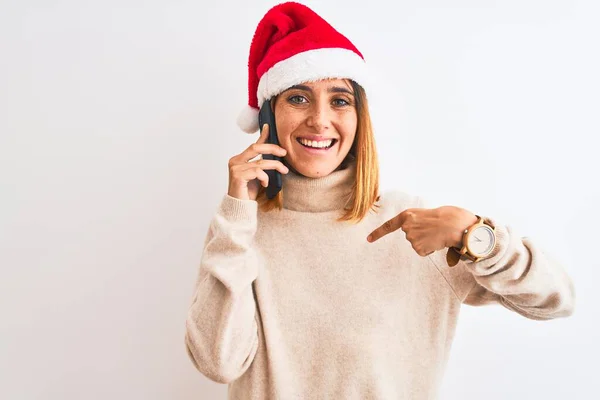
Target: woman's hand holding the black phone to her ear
(245, 176)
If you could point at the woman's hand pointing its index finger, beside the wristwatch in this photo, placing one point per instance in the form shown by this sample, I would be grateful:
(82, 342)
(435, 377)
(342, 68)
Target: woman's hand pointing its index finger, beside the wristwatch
(429, 229)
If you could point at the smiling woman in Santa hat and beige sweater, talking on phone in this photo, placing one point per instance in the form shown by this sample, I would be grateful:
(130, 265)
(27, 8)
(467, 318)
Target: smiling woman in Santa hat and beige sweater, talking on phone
(292, 300)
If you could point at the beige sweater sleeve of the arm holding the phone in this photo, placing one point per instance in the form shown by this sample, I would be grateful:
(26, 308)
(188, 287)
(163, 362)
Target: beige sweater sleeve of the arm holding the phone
(221, 330)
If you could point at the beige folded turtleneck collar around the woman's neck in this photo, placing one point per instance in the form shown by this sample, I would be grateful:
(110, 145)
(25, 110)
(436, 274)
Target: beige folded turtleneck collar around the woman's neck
(328, 193)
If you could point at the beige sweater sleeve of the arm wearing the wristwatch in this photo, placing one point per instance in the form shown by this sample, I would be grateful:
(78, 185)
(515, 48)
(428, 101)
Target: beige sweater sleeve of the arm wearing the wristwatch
(518, 274)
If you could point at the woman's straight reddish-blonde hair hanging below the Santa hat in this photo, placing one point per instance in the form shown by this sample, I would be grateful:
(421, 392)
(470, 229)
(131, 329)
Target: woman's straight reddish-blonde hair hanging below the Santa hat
(365, 190)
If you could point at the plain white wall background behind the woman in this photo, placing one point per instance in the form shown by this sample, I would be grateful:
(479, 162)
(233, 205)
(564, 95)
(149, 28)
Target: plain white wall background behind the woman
(117, 120)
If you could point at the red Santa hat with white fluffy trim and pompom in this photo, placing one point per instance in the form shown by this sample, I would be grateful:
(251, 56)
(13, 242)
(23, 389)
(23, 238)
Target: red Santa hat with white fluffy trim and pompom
(293, 45)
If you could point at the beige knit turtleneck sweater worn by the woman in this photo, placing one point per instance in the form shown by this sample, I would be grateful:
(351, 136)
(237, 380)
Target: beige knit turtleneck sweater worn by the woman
(293, 305)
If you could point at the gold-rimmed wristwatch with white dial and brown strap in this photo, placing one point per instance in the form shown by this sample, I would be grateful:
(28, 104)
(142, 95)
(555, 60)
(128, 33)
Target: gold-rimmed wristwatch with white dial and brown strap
(478, 241)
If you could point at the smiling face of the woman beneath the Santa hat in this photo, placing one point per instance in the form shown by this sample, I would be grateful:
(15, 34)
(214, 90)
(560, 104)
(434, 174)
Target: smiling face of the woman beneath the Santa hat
(316, 124)
